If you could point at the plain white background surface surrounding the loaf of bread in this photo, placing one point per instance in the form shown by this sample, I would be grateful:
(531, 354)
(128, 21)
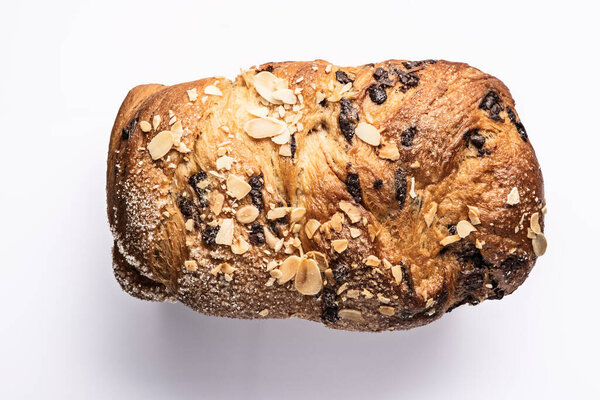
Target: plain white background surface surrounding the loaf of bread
(67, 331)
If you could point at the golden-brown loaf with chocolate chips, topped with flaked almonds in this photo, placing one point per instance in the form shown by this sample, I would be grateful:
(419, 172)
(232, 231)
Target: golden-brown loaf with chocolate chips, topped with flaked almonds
(367, 198)
